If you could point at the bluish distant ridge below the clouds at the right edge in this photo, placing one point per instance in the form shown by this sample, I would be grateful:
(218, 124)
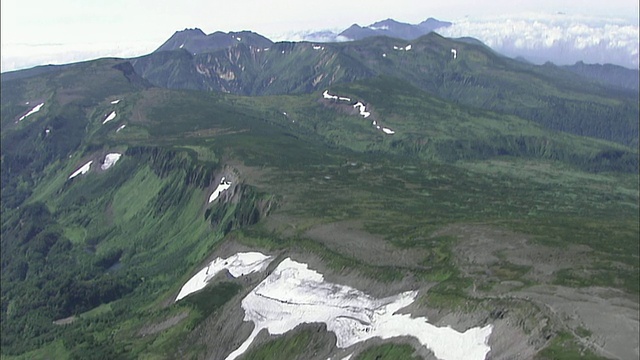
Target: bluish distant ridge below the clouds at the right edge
(609, 74)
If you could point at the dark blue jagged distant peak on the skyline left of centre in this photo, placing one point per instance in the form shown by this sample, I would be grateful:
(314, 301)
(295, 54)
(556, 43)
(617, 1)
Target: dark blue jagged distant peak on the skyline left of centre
(196, 41)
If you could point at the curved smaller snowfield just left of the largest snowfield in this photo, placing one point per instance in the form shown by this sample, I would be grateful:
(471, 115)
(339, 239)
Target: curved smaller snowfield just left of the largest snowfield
(239, 264)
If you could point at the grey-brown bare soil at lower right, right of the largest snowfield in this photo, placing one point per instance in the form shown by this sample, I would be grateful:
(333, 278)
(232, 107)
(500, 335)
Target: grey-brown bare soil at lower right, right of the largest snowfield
(610, 315)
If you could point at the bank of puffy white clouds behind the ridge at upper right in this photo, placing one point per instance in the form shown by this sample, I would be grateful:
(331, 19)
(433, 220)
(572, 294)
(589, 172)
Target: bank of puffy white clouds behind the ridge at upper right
(559, 38)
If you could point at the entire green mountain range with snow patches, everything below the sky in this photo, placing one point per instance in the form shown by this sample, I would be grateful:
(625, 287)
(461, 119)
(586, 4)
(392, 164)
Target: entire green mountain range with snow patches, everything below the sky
(227, 197)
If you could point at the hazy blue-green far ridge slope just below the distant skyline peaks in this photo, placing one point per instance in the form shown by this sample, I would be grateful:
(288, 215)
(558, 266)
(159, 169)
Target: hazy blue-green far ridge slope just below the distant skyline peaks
(477, 77)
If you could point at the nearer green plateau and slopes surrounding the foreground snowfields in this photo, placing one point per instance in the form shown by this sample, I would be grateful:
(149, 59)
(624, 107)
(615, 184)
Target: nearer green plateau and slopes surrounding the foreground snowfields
(91, 265)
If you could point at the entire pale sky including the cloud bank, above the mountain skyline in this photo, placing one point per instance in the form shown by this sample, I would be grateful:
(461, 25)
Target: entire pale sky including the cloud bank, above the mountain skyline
(40, 32)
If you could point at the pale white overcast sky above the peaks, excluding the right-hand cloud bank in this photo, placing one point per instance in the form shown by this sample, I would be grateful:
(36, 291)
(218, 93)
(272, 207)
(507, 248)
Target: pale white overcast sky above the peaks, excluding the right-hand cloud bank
(38, 31)
